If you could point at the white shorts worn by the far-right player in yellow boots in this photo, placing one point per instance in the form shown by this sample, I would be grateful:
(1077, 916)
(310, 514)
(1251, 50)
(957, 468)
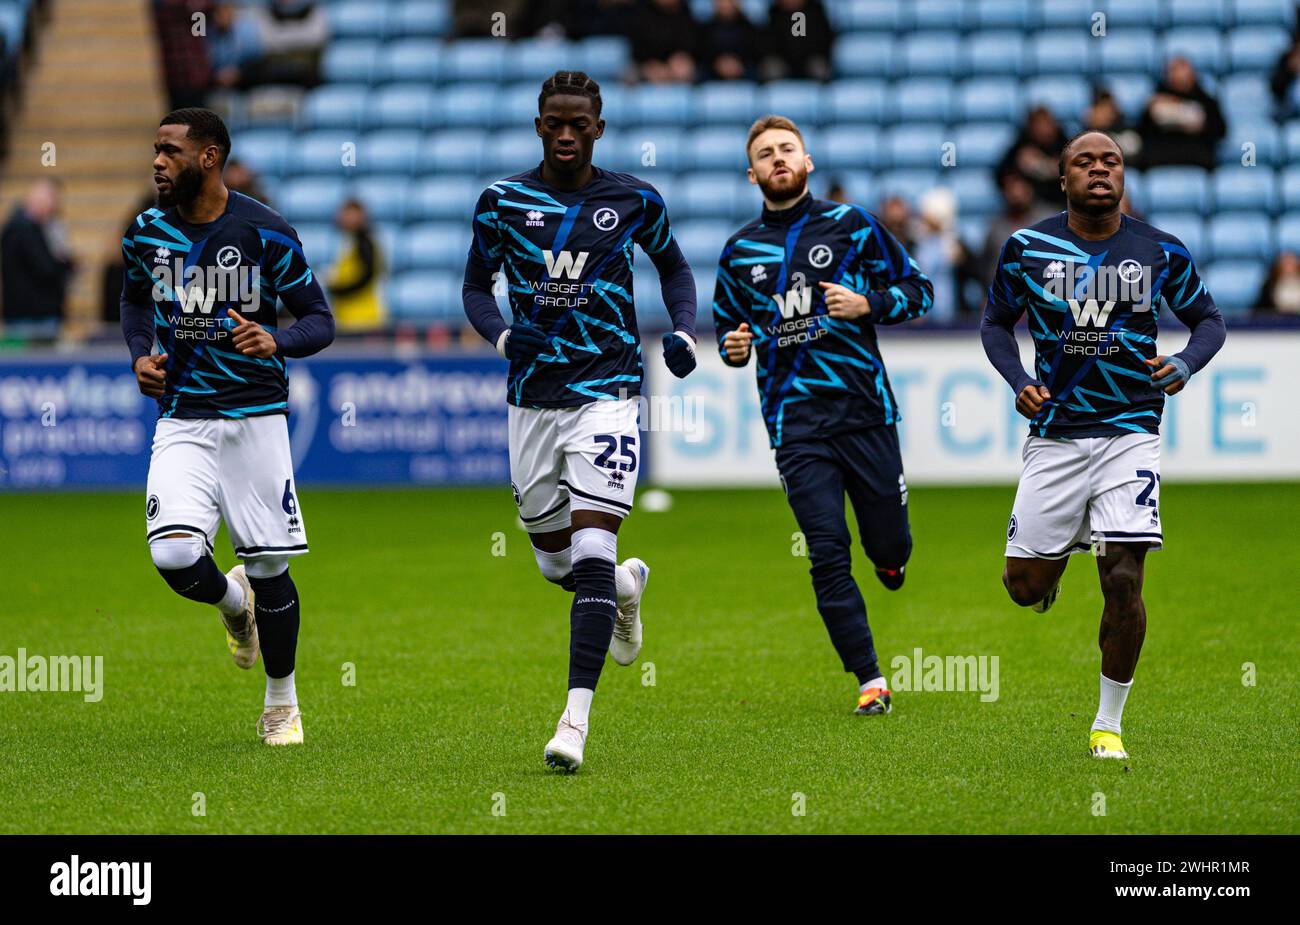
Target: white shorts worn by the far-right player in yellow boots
(1074, 493)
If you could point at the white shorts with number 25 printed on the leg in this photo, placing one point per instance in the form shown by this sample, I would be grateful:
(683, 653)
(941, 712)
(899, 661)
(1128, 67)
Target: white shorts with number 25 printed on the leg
(565, 459)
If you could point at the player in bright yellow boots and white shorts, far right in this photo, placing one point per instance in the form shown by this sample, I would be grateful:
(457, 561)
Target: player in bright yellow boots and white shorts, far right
(1090, 280)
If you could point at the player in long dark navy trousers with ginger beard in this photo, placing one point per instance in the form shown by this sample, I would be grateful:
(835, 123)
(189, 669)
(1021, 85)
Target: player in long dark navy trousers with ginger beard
(804, 288)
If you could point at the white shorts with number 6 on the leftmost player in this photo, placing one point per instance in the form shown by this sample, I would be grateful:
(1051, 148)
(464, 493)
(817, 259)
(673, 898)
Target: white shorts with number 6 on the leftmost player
(239, 471)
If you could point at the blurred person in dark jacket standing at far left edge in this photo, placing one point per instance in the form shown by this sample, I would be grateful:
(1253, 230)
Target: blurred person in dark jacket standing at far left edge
(36, 263)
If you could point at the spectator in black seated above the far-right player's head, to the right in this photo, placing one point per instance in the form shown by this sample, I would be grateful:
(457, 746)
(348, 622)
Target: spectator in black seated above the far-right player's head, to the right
(1182, 123)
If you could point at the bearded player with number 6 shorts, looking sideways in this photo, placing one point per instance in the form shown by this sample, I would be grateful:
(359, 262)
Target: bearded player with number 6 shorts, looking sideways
(205, 271)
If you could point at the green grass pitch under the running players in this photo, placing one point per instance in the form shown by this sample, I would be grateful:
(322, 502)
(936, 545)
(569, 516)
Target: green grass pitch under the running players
(461, 665)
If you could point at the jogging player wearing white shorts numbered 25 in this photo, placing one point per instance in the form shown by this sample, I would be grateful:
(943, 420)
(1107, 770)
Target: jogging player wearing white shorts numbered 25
(564, 233)
